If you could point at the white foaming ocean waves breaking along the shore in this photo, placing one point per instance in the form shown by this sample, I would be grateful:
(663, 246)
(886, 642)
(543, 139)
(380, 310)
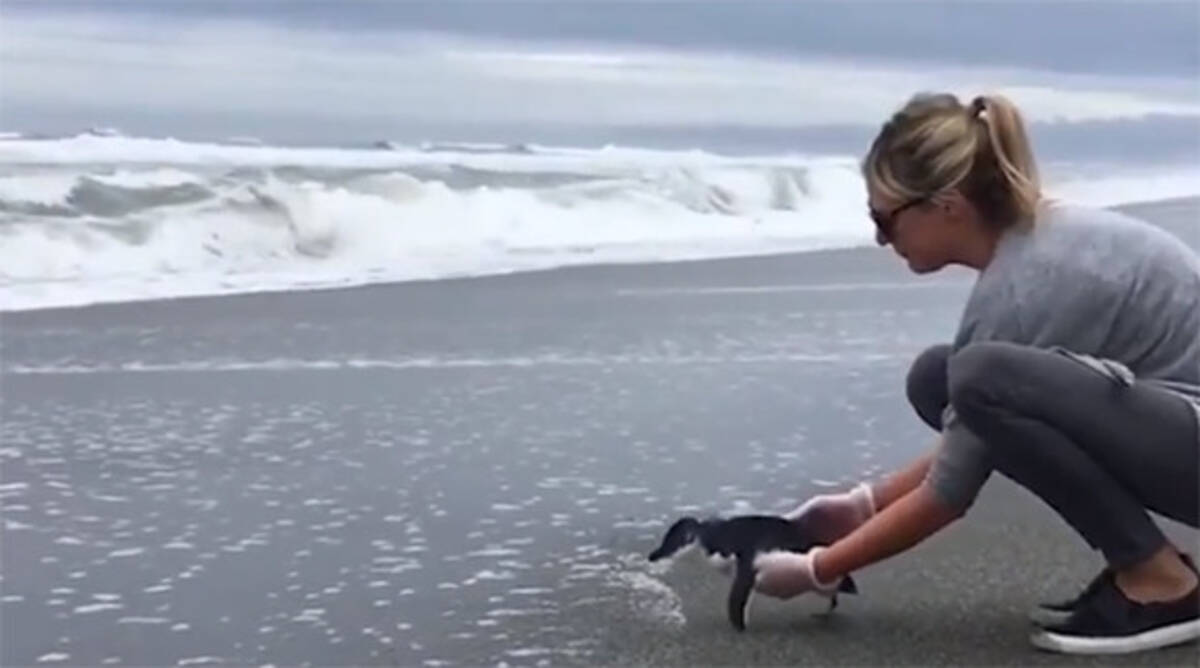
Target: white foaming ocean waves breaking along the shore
(113, 219)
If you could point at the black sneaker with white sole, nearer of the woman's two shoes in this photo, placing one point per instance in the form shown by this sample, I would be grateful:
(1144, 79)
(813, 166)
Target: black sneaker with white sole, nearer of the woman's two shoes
(1109, 623)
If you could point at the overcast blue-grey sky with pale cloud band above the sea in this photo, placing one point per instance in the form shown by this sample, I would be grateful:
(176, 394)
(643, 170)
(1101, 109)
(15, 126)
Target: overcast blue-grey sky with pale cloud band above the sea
(347, 71)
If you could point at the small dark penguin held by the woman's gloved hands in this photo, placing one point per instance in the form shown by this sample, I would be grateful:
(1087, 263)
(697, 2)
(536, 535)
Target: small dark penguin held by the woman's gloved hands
(742, 539)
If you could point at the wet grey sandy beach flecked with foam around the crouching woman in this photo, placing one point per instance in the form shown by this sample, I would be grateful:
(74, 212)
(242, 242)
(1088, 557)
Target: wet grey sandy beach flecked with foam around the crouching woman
(471, 472)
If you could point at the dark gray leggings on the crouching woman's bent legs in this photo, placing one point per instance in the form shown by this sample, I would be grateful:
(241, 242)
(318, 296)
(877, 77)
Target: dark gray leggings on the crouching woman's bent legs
(1097, 453)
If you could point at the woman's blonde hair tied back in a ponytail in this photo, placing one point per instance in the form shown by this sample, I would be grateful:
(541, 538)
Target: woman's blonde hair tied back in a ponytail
(935, 145)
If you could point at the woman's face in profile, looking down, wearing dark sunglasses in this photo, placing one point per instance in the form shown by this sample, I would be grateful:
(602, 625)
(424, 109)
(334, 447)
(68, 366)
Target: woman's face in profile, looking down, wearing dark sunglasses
(920, 231)
